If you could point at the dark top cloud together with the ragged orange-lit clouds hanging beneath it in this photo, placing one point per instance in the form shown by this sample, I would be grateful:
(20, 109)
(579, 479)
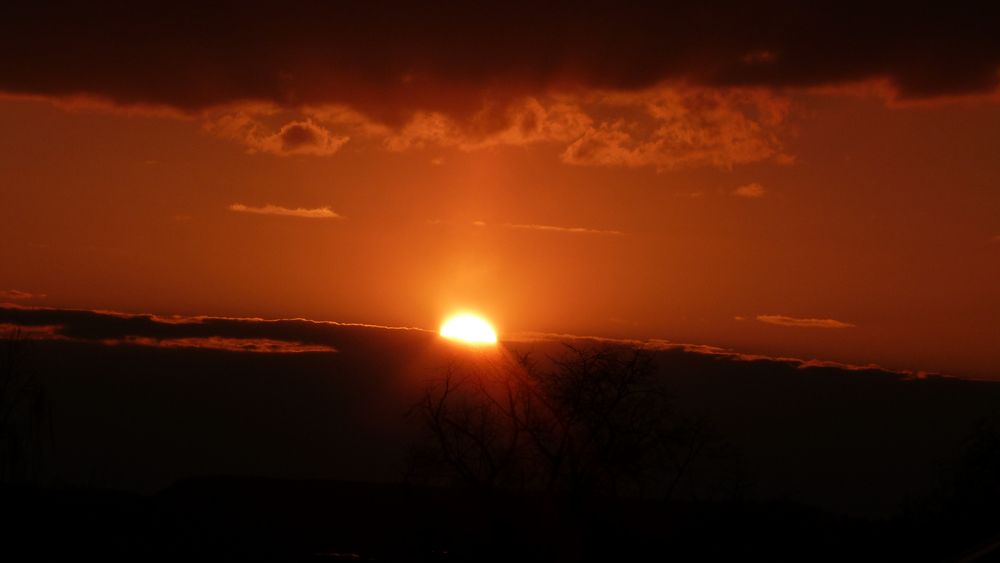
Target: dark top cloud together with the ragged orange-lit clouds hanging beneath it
(663, 85)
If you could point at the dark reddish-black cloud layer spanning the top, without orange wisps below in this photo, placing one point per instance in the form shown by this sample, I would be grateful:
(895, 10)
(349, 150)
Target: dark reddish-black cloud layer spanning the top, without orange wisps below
(391, 58)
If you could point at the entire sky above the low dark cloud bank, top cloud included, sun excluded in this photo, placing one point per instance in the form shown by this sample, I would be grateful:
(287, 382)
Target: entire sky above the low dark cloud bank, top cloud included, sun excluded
(817, 181)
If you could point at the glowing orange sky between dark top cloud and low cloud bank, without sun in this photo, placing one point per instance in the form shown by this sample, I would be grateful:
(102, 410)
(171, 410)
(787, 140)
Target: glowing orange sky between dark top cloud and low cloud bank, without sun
(714, 214)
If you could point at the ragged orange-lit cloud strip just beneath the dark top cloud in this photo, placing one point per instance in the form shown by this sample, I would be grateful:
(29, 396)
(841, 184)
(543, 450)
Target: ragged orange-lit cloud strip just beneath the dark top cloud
(665, 126)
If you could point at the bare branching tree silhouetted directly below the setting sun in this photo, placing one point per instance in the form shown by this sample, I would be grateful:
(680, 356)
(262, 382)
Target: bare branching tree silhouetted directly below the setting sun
(595, 422)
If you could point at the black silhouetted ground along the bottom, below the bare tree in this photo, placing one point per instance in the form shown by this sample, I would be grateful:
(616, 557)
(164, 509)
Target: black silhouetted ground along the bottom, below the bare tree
(250, 519)
